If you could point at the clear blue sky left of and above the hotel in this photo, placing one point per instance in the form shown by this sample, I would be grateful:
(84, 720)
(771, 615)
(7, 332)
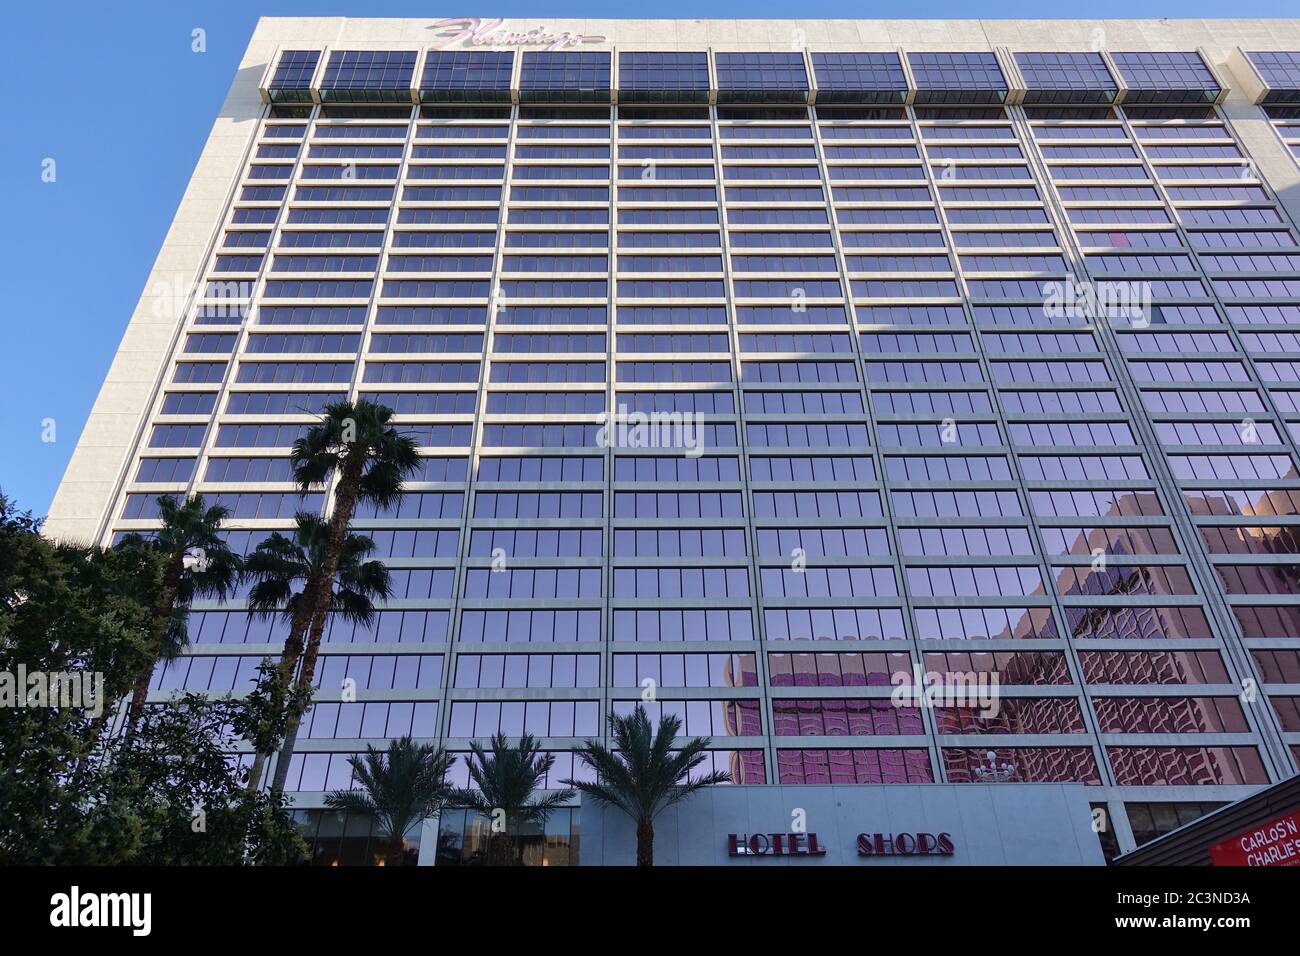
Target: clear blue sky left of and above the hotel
(114, 94)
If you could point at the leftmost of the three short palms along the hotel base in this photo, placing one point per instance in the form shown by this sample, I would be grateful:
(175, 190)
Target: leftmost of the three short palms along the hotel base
(400, 789)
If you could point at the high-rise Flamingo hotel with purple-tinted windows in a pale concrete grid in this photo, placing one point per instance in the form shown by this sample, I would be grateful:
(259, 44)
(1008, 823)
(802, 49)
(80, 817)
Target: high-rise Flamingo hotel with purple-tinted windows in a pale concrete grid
(983, 343)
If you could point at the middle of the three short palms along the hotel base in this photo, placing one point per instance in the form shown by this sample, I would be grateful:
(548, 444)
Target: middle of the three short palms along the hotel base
(508, 780)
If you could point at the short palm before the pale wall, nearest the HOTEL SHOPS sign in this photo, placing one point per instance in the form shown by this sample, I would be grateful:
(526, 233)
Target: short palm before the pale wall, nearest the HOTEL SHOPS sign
(644, 775)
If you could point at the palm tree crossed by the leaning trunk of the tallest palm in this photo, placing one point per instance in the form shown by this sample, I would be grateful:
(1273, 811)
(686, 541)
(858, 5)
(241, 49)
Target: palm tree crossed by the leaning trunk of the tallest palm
(278, 565)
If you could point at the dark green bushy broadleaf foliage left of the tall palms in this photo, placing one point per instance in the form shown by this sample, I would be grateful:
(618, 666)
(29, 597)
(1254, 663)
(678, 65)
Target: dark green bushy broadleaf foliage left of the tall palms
(71, 794)
